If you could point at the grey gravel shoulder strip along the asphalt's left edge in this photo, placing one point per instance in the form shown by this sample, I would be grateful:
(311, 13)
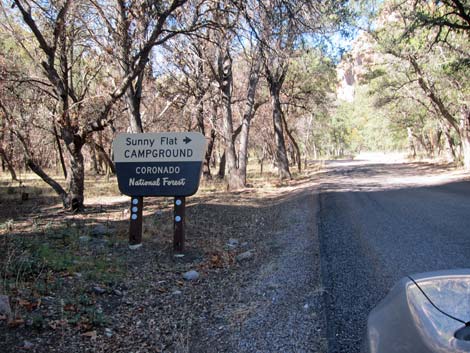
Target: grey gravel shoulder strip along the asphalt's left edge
(289, 315)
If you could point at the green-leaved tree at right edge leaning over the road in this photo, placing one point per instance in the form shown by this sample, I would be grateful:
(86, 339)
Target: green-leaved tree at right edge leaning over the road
(436, 67)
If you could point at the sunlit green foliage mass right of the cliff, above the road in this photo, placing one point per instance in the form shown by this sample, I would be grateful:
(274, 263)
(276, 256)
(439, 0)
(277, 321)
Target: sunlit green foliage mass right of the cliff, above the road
(415, 87)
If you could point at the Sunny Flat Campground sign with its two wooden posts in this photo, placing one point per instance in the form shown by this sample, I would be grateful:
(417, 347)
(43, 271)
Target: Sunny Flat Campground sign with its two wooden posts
(158, 164)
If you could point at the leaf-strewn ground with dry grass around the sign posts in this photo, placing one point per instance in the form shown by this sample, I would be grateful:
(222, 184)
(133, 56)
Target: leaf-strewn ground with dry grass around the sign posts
(46, 259)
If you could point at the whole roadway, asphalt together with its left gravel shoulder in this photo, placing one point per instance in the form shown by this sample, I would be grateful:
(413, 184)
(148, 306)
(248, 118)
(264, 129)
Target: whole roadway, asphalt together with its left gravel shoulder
(333, 247)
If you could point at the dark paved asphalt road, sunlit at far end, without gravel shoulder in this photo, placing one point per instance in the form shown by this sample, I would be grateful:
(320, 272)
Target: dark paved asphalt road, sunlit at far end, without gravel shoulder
(378, 223)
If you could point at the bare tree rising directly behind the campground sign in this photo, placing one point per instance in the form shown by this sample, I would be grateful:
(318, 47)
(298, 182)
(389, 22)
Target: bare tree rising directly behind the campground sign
(133, 29)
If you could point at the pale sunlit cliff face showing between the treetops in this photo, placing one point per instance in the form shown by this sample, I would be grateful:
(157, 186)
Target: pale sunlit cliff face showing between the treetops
(353, 66)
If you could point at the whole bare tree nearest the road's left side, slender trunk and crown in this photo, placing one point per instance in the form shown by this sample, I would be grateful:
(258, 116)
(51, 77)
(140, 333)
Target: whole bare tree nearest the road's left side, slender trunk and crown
(282, 27)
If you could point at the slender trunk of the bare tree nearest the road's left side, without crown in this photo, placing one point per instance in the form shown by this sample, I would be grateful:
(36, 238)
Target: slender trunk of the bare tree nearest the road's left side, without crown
(282, 162)
